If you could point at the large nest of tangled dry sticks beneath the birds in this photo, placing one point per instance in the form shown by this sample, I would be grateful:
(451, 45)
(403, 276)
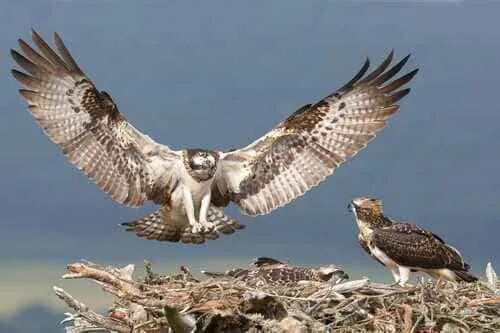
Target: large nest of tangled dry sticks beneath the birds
(256, 302)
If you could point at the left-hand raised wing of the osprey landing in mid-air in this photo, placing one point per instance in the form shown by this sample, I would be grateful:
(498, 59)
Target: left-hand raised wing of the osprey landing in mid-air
(87, 125)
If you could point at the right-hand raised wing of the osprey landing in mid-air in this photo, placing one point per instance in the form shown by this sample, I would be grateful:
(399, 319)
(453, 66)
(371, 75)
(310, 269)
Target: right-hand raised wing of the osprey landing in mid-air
(302, 151)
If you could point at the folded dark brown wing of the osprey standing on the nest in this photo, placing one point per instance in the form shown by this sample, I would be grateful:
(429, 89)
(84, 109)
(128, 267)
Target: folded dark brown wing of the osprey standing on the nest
(411, 246)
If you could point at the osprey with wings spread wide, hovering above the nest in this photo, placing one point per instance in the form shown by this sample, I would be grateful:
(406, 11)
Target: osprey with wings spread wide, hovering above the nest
(193, 186)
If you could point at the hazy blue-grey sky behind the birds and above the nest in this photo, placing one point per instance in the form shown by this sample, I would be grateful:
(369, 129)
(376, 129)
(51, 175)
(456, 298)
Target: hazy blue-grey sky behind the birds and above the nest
(219, 74)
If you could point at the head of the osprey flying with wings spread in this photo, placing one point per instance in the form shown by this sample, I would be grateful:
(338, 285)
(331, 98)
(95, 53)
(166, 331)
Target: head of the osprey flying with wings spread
(201, 163)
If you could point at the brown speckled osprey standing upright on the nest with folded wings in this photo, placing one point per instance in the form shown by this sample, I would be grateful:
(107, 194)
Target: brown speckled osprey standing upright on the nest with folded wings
(404, 247)
